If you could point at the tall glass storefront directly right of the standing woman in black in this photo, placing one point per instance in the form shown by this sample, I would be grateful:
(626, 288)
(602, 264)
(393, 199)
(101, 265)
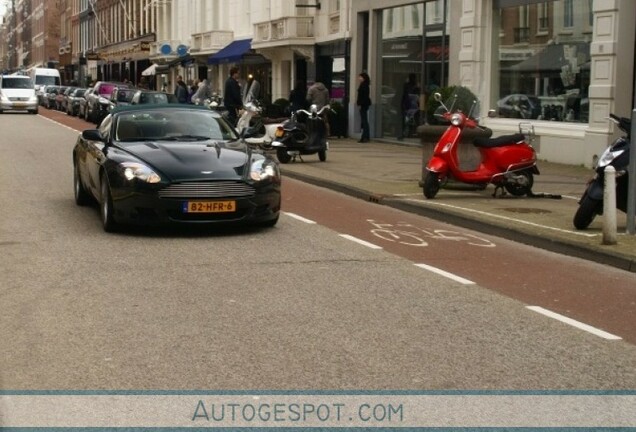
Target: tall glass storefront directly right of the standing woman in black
(414, 61)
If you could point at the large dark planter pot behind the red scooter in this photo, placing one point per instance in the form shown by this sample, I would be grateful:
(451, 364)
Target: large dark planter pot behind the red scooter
(468, 155)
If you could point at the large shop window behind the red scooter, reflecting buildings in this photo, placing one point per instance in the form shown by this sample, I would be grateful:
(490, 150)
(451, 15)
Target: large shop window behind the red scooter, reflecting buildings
(543, 59)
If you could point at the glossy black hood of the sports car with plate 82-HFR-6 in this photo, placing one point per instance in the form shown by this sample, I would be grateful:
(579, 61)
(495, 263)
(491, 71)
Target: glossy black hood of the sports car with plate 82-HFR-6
(193, 160)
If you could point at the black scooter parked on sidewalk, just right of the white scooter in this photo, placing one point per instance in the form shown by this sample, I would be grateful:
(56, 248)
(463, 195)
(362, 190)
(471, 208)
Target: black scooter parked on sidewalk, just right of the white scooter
(305, 133)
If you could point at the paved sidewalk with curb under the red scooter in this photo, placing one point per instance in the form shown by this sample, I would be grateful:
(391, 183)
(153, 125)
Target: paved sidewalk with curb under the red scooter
(389, 173)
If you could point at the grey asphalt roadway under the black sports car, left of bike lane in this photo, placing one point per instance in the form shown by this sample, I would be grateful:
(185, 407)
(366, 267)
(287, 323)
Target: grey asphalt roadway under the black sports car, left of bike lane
(298, 306)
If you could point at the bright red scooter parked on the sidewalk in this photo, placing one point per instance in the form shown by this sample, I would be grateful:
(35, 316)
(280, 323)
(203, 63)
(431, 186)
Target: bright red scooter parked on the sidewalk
(508, 162)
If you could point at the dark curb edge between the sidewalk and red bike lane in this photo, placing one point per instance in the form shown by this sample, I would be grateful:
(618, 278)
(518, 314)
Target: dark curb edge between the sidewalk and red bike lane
(552, 245)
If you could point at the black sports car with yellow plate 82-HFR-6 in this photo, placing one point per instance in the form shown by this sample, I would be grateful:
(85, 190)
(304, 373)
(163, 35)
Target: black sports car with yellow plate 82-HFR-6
(153, 164)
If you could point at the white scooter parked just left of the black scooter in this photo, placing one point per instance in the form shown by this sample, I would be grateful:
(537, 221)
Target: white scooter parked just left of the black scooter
(261, 130)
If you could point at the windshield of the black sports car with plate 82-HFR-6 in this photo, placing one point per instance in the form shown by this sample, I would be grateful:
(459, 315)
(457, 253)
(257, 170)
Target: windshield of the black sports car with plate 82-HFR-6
(172, 125)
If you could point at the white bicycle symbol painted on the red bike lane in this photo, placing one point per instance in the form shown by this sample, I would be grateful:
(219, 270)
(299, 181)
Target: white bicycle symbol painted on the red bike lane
(409, 234)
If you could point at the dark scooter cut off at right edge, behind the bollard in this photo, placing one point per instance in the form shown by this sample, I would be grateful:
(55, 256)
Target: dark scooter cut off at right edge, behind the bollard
(616, 155)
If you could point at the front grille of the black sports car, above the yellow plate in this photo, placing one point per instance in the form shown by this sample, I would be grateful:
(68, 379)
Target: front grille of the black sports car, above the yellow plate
(218, 189)
